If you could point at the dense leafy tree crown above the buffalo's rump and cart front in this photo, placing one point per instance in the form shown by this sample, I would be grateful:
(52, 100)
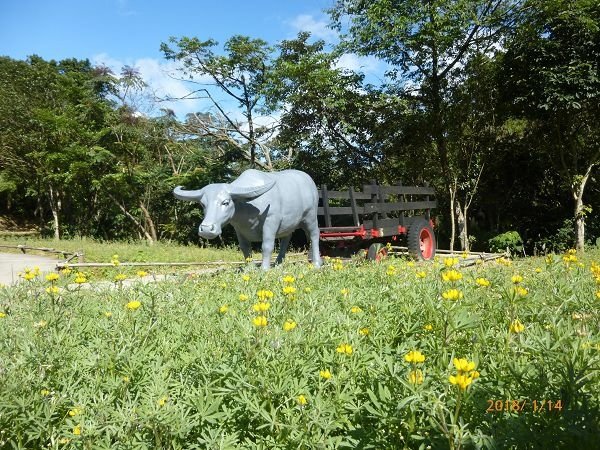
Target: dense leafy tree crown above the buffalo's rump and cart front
(327, 117)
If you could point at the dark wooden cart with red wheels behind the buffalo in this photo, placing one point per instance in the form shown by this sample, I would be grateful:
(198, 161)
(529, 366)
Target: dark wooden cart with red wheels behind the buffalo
(376, 217)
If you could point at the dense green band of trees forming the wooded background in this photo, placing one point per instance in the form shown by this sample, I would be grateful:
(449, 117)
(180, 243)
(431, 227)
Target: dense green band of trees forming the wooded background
(492, 102)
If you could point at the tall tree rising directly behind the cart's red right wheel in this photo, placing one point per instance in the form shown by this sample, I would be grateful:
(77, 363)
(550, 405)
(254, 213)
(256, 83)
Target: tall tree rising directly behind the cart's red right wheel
(426, 44)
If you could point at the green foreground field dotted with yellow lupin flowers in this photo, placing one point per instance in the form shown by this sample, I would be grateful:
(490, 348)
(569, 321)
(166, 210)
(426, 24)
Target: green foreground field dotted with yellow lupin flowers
(354, 355)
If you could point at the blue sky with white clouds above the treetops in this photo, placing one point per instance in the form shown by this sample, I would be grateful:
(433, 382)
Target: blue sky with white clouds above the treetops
(119, 32)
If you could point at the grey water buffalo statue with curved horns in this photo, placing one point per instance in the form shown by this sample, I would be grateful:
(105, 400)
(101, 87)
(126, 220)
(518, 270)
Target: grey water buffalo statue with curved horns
(261, 206)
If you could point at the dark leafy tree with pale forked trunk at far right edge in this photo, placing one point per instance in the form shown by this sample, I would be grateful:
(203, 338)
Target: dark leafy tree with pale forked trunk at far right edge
(551, 77)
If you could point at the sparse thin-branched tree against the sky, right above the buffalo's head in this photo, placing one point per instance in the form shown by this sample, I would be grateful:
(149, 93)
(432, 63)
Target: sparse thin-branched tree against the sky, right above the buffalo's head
(240, 75)
